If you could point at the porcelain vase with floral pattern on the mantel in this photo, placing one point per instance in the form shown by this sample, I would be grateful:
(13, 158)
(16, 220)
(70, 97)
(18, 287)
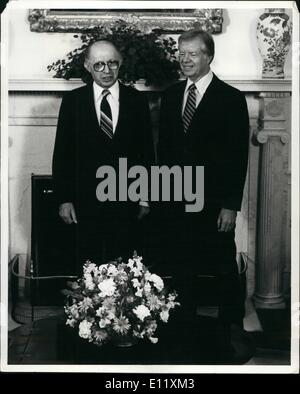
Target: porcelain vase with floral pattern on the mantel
(273, 33)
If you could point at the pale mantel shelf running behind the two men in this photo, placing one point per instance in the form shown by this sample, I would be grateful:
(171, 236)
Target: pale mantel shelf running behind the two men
(58, 85)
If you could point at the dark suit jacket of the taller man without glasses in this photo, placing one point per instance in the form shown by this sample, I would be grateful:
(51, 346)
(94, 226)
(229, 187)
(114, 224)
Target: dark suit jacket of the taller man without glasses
(217, 139)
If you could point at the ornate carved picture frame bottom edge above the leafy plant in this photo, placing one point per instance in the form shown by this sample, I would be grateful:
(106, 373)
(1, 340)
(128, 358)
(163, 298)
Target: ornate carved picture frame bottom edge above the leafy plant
(162, 20)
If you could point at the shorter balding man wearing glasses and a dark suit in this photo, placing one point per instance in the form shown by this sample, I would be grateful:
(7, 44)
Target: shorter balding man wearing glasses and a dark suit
(98, 124)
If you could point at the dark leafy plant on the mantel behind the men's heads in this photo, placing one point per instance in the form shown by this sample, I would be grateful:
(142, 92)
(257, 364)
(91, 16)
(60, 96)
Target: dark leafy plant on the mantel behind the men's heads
(146, 55)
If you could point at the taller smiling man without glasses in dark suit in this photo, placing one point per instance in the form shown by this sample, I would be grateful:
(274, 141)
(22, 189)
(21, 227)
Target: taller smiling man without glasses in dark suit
(204, 122)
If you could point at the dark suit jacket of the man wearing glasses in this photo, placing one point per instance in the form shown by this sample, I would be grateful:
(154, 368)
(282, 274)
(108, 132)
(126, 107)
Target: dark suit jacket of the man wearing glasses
(81, 147)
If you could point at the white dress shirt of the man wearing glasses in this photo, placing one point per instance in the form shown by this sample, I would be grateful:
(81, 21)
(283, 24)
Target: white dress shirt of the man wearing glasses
(112, 98)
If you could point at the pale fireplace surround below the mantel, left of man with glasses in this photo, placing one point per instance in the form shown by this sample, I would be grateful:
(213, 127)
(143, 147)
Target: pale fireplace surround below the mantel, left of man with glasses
(32, 120)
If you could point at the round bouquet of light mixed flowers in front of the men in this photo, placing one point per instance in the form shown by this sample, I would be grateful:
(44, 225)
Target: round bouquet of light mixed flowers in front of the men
(118, 299)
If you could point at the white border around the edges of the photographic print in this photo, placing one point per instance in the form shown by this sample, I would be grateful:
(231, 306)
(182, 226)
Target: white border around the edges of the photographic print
(294, 367)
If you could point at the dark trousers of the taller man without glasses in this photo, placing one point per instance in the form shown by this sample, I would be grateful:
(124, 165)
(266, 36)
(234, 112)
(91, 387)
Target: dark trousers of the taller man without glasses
(194, 247)
